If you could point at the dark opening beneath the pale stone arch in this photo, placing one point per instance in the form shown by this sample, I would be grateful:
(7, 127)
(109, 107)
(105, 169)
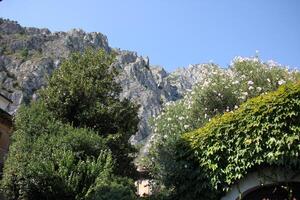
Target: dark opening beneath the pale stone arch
(280, 191)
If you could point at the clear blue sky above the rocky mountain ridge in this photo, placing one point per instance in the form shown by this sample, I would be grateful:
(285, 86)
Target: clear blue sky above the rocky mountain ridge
(176, 33)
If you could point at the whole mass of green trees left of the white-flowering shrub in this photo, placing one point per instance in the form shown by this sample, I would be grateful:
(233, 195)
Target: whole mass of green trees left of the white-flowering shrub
(63, 147)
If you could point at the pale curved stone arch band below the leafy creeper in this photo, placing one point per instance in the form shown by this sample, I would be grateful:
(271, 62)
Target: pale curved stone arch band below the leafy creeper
(261, 180)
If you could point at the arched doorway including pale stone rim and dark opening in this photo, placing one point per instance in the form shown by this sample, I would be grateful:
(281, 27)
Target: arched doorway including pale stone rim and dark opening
(269, 183)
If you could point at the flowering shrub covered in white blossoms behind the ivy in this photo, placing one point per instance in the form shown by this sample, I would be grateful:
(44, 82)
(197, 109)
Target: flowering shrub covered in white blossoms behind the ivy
(219, 91)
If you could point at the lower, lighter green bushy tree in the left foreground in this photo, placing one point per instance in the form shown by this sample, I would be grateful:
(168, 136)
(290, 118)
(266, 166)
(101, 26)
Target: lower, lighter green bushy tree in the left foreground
(52, 160)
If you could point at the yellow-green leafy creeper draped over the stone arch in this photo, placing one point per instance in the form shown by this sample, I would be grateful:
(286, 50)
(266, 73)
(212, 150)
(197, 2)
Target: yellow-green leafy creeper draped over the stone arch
(264, 131)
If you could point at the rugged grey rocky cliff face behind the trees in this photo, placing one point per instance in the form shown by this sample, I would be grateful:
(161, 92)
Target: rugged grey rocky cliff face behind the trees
(29, 55)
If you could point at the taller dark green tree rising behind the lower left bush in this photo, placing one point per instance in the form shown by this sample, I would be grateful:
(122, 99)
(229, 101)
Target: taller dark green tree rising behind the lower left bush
(84, 92)
